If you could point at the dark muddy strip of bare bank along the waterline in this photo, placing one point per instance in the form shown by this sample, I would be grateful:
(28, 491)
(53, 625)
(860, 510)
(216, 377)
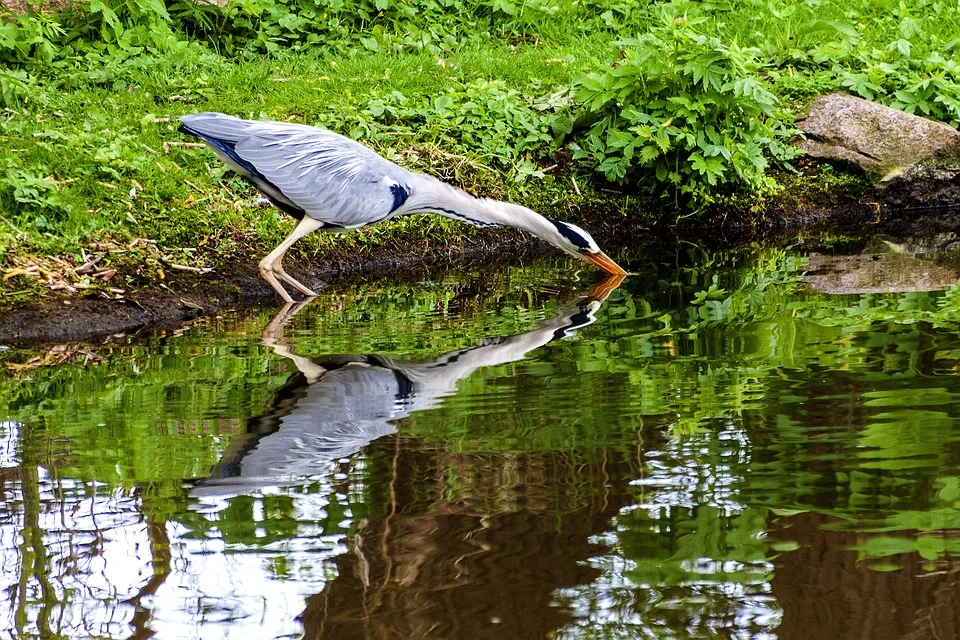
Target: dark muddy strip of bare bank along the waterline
(233, 286)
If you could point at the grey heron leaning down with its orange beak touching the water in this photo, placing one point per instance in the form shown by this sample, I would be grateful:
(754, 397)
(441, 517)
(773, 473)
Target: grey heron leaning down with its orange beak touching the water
(330, 182)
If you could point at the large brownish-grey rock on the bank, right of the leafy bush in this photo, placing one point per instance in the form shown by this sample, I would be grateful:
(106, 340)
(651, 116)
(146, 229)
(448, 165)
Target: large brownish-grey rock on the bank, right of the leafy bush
(916, 160)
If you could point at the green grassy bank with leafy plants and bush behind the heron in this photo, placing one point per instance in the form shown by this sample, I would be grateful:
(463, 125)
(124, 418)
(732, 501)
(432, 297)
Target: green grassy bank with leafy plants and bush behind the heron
(660, 110)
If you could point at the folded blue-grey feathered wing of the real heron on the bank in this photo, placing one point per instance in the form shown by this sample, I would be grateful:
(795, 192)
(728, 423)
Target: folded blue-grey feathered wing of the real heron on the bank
(331, 177)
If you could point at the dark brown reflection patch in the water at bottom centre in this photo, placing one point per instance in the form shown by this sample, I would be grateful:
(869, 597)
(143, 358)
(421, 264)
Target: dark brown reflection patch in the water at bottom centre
(481, 560)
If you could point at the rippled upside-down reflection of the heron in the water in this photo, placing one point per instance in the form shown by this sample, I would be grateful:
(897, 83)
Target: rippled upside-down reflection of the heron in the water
(333, 406)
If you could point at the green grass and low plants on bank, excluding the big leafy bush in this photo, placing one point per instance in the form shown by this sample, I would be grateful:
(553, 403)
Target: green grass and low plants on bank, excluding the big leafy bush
(475, 94)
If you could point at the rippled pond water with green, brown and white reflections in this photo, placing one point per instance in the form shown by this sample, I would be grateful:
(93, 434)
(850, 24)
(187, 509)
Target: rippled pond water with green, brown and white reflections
(736, 443)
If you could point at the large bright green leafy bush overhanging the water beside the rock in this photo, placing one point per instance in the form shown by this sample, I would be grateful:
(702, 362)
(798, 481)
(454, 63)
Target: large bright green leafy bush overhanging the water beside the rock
(686, 110)
